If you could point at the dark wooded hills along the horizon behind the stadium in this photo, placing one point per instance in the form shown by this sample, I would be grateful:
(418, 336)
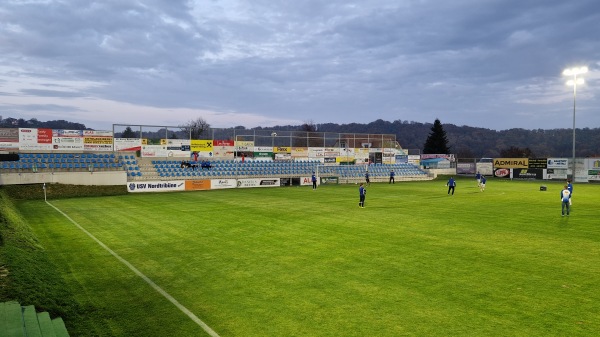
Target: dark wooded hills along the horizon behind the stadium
(464, 141)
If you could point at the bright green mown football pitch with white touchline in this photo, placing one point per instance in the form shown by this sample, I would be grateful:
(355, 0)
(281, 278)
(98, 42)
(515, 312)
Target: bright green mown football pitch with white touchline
(295, 262)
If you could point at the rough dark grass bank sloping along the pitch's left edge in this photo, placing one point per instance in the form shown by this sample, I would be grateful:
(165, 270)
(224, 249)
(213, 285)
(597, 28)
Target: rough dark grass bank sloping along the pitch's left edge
(27, 274)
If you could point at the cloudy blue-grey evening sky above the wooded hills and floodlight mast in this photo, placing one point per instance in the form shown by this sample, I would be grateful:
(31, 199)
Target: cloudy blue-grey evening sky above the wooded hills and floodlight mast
(482, 63)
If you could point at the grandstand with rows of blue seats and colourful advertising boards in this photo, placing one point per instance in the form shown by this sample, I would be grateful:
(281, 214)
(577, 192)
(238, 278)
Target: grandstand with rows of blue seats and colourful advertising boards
(102, 159)
